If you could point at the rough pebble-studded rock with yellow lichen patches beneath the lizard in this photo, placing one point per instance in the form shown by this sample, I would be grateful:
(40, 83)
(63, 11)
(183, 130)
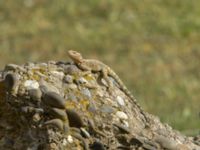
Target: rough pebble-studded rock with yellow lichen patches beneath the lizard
(57, 106)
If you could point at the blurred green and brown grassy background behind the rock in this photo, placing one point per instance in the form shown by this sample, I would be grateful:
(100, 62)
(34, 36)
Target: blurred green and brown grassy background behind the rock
(153, 45)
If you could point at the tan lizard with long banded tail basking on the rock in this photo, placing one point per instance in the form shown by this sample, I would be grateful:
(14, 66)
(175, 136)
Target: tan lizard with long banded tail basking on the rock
(98, 66)
